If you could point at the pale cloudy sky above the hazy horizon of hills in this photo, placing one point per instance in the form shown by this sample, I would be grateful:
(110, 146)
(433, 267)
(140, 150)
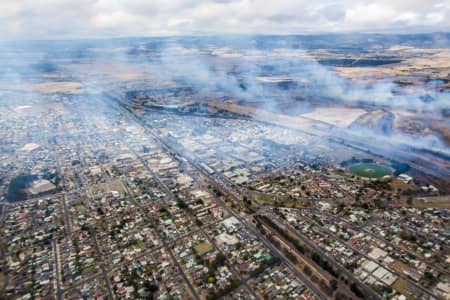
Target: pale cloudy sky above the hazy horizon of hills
(61, 19)
